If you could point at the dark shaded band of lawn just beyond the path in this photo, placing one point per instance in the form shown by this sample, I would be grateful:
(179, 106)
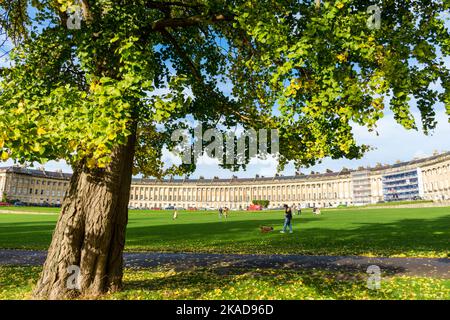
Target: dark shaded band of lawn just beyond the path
(412, 237)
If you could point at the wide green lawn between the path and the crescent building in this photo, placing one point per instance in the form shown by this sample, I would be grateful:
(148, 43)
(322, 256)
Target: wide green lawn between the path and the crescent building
(421, 232)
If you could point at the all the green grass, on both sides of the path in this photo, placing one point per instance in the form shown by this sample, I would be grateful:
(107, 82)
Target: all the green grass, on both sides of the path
(377, 232)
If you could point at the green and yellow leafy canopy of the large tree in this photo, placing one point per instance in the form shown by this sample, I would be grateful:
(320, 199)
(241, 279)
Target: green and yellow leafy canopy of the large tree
(311, 72)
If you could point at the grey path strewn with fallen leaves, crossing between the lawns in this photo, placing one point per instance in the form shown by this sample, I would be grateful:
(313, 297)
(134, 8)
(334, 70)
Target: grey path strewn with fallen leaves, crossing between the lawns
(426, 267)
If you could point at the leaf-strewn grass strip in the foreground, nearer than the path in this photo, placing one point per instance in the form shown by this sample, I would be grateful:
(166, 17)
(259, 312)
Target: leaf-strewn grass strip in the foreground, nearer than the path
(17, 283)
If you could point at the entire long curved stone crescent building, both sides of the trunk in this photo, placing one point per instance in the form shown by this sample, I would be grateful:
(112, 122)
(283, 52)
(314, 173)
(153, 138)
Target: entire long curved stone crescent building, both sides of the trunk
(425, 178)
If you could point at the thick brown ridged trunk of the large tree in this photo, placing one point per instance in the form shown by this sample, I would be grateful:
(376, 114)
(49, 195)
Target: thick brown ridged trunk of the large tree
(90, 233)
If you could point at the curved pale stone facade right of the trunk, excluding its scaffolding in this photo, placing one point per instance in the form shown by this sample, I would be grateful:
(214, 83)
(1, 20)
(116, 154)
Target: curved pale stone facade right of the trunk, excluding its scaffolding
(325, 190)
